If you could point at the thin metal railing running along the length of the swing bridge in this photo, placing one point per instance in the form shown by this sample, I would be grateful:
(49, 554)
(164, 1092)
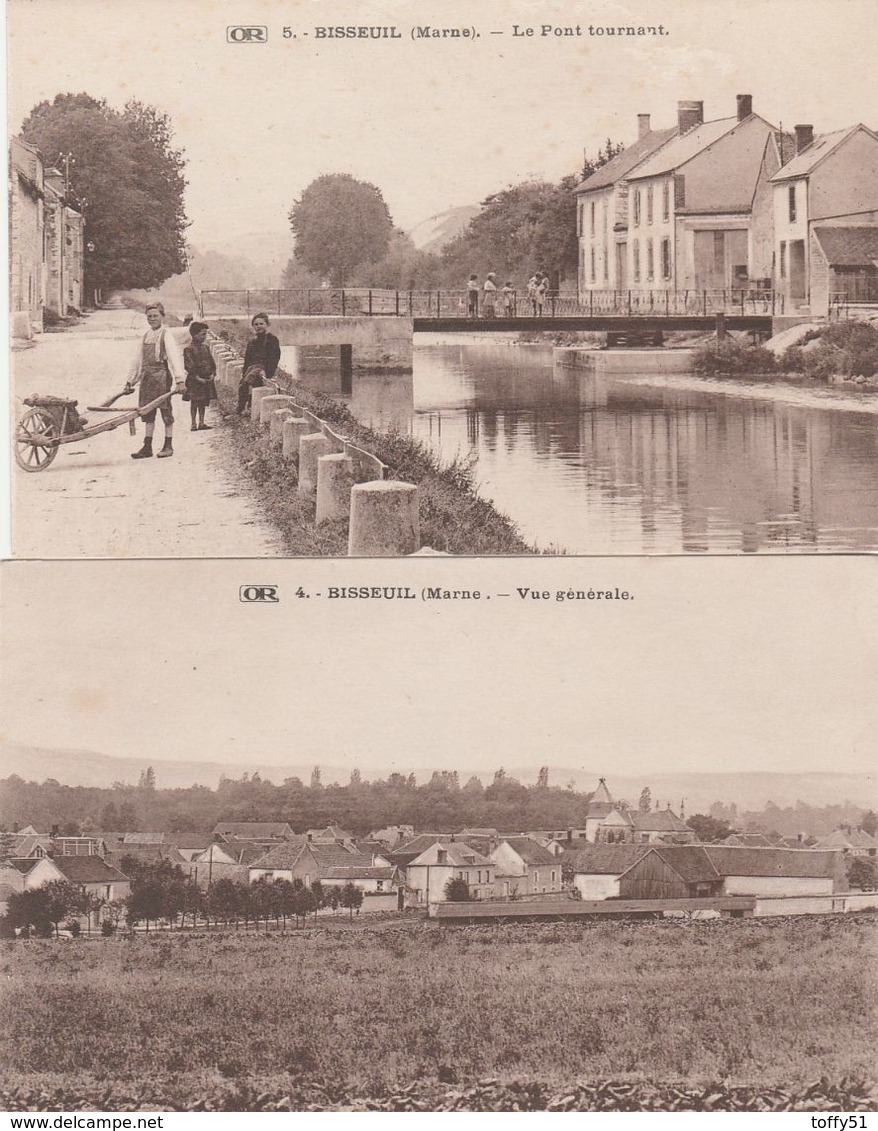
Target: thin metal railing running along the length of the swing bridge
(358, 303)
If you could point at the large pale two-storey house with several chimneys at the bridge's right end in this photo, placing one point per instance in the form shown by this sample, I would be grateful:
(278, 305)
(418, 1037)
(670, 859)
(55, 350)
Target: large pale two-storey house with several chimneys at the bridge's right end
(678, 212)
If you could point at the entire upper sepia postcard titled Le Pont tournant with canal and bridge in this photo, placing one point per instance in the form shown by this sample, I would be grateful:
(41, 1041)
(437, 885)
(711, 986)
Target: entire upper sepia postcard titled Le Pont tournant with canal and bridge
(331, 280)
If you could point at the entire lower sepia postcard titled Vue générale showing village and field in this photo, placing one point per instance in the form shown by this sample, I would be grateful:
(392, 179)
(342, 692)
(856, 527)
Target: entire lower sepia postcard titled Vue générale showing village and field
(342, 851)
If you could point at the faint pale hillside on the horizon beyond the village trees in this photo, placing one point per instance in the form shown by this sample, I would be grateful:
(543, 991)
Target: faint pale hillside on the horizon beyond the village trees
(696, 791)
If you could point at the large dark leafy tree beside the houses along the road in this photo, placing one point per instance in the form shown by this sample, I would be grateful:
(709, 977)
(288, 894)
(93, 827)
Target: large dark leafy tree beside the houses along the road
(128, 182)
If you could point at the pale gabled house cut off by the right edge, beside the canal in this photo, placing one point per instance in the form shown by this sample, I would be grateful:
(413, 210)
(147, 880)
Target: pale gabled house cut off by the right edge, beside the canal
(827, 220)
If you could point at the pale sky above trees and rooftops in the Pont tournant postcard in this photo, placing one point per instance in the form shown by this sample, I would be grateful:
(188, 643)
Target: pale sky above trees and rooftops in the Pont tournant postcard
(433, 124)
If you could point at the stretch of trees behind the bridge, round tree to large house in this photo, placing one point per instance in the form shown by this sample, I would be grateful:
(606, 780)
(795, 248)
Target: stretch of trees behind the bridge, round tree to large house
(345, 234)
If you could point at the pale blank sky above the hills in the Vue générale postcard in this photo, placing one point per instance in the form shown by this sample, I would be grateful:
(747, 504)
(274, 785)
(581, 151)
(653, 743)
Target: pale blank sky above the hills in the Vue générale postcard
(716, 666)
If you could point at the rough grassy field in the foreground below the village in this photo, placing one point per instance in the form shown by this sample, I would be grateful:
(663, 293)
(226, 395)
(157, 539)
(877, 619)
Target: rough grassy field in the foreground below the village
(407, 1014)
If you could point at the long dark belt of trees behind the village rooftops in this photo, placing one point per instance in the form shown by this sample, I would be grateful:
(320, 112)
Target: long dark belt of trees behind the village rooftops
(444, 801)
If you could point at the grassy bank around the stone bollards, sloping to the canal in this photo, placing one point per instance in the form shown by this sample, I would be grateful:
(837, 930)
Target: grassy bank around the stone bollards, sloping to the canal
(454, 519)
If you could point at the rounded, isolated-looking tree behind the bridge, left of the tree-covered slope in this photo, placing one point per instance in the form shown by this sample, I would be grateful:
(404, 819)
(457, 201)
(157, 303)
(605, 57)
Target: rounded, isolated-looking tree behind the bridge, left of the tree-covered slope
(340, 223)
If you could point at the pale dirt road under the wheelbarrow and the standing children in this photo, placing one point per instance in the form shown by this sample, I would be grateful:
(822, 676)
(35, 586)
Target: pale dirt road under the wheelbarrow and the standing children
(94, 500)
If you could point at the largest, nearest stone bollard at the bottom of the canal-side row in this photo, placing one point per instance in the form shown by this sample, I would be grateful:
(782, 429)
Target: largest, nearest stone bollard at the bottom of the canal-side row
(384, 520)
